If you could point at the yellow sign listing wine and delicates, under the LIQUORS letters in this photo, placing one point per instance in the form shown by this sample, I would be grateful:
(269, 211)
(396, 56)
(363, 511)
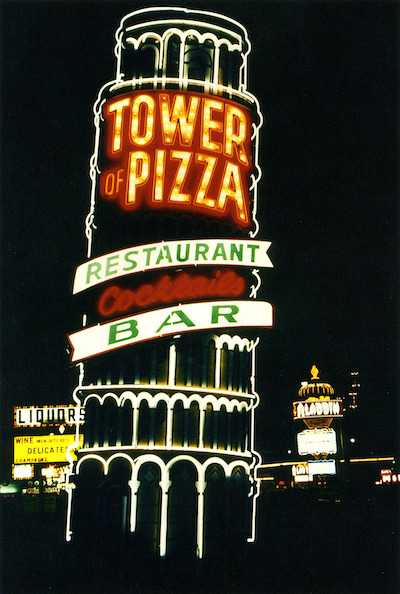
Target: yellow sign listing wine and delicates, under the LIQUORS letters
(33, 449)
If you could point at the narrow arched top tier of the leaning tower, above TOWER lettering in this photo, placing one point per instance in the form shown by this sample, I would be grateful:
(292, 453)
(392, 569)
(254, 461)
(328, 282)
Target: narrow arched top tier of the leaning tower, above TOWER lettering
(174, 47)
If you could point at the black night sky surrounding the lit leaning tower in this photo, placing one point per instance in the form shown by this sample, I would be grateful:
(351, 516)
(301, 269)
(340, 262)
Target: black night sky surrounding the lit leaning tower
(325, 74)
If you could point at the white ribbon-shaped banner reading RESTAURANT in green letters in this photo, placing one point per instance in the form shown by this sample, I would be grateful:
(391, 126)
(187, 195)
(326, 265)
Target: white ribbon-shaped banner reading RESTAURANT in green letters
(172, 254)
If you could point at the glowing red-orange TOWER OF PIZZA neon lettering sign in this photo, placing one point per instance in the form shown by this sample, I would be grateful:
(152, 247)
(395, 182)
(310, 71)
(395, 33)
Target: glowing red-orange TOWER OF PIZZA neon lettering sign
(177, 152)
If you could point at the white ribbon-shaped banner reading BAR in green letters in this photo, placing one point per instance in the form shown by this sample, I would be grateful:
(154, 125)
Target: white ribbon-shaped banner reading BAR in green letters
(169, 320)
